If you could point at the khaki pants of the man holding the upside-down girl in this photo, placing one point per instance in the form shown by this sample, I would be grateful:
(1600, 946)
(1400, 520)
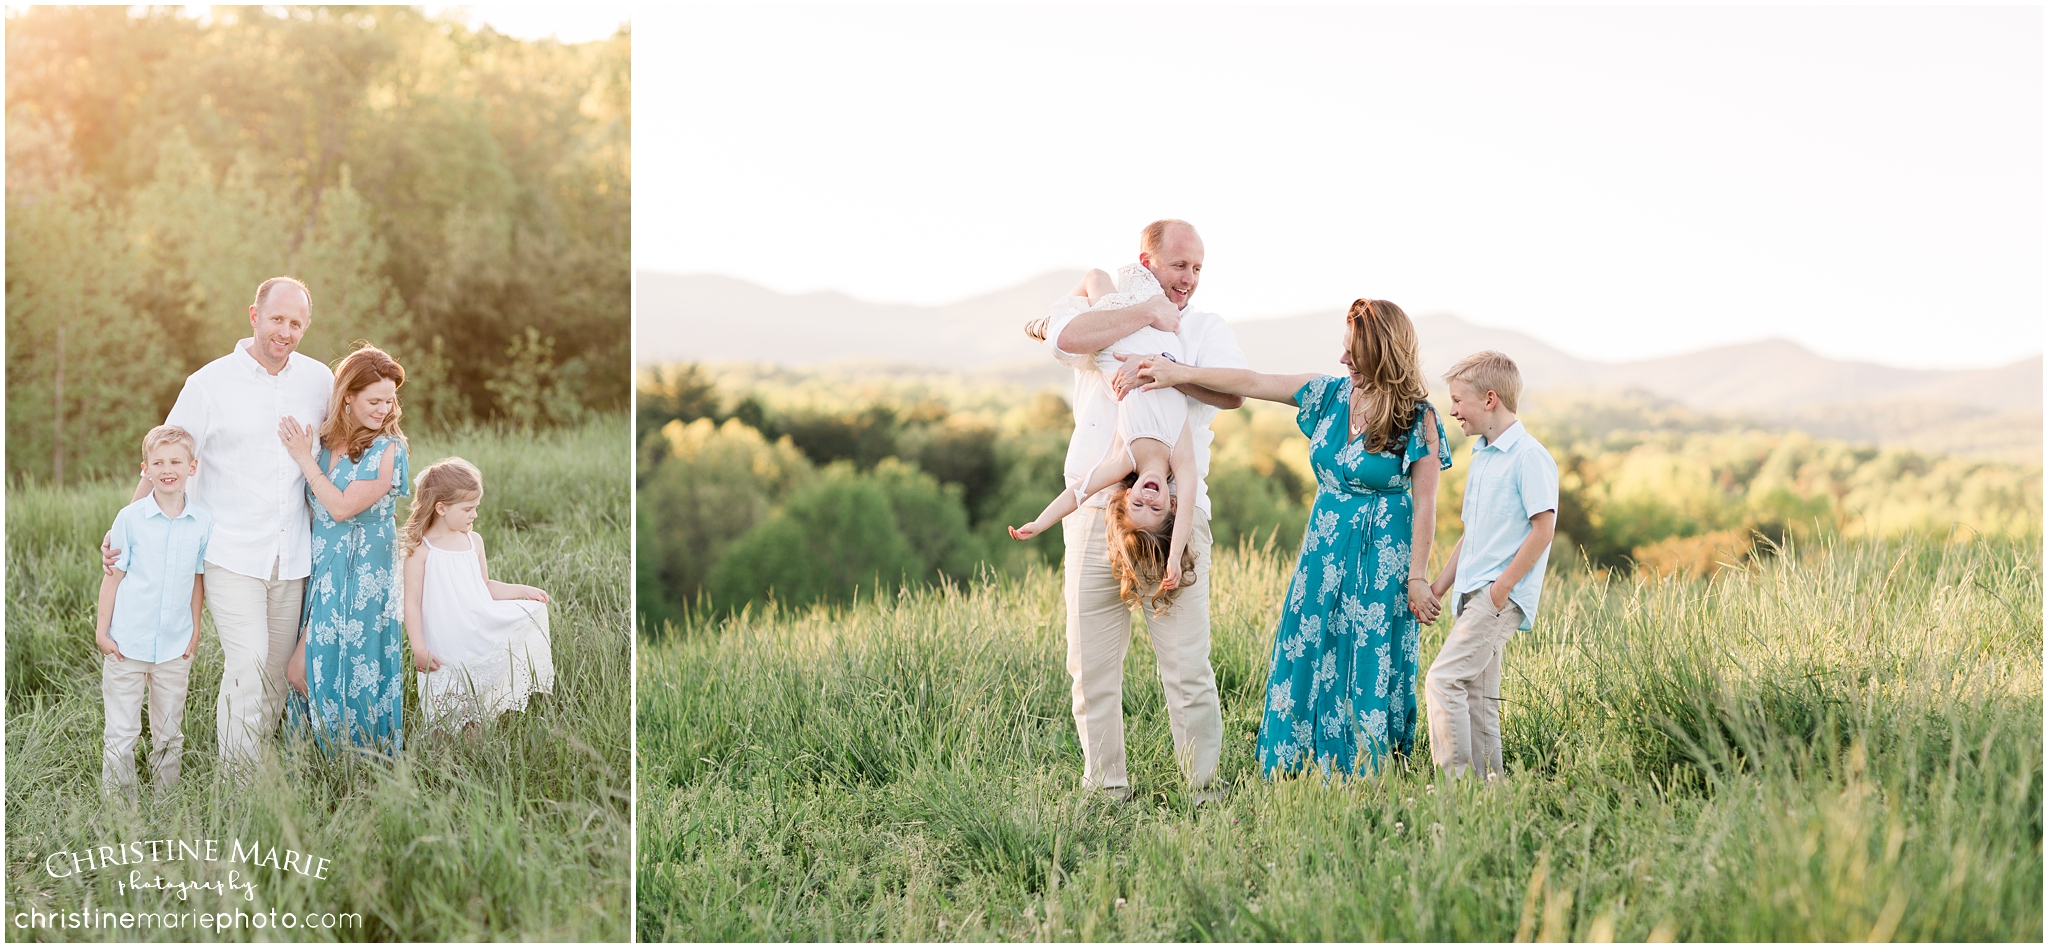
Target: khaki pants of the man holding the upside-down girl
(1099, 636)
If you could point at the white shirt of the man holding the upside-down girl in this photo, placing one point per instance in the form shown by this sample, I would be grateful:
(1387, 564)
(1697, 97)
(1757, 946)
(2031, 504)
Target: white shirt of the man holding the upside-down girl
(1207, 343)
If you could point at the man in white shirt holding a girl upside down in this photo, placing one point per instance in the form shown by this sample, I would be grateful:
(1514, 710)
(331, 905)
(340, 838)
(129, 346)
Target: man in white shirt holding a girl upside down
(1099, 623)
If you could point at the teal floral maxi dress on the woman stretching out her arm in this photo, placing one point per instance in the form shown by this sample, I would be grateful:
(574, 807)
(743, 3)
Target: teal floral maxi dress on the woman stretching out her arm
(1342, 683)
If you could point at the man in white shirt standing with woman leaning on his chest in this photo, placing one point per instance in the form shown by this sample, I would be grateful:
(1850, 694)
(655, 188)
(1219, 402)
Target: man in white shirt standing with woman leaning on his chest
(263, 533)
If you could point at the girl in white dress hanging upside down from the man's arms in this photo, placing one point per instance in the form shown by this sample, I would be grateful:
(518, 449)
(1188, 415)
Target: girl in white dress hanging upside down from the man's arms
(1150, 458)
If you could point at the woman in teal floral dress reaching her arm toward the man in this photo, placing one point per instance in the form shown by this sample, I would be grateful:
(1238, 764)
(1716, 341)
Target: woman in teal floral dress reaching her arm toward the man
(1342, 685)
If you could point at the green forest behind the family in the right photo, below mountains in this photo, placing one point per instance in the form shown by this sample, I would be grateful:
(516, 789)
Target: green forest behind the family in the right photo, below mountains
(812, 486)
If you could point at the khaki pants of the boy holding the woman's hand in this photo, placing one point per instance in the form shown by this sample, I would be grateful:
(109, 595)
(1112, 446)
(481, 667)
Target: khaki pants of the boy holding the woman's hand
(1465, 687)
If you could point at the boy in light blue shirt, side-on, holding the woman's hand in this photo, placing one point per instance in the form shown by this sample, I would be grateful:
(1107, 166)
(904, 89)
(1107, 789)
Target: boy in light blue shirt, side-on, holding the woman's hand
(1498, 566)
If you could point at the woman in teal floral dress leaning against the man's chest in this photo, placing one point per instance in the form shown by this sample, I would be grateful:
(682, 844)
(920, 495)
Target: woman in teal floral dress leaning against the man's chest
(347, 675)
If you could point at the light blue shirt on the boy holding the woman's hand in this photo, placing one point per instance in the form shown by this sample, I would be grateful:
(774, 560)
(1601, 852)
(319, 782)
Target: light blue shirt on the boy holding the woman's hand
(1510, 480)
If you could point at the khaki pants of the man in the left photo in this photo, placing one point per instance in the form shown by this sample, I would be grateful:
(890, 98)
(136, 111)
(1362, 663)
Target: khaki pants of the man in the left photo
(259, 623)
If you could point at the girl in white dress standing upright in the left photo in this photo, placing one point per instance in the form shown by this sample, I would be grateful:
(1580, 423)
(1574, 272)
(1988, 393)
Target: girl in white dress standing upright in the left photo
(478, 644)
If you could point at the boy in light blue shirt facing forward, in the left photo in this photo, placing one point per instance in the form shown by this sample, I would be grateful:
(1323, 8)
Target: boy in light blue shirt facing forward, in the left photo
(148, 613)
